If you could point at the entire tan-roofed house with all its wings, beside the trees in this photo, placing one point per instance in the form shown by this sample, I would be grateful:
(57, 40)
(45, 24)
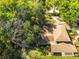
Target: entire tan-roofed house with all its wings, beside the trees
(59, 40)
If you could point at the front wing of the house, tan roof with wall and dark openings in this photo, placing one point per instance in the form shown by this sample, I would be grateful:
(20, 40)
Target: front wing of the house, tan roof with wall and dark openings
(63, 49)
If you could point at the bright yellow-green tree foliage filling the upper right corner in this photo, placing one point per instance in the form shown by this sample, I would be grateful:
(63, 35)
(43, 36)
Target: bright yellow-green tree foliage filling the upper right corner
(69, 10)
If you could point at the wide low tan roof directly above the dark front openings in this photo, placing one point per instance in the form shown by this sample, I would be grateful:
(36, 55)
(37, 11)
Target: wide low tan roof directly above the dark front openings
(63, 48)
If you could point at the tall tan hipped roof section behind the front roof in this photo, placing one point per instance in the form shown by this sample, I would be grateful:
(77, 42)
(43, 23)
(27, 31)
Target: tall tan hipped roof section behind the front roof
(60, 34)
